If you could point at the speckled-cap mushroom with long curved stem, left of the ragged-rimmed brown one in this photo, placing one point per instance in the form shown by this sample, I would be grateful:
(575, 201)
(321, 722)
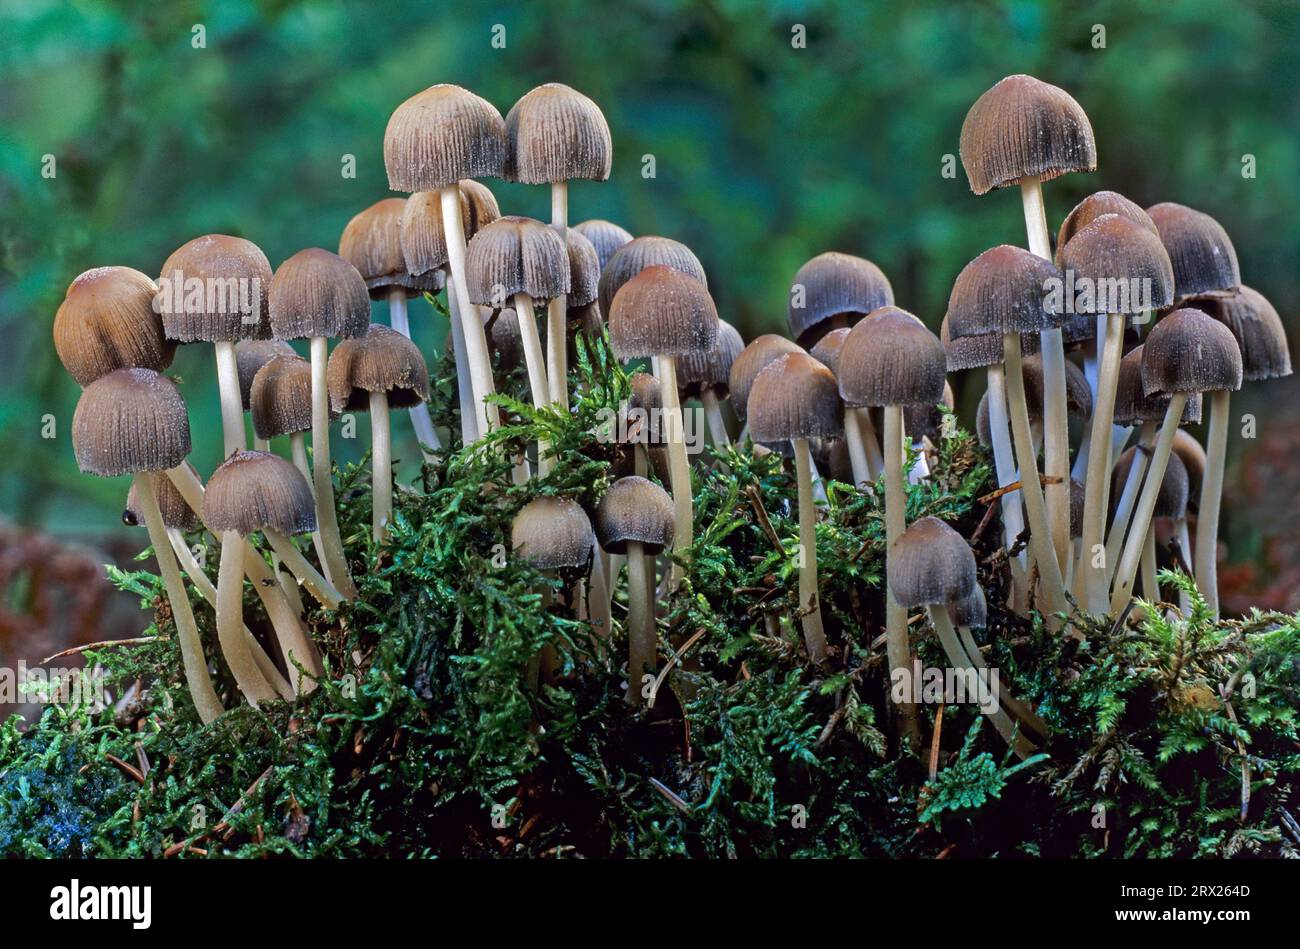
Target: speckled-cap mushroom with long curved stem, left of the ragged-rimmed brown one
(317, 296)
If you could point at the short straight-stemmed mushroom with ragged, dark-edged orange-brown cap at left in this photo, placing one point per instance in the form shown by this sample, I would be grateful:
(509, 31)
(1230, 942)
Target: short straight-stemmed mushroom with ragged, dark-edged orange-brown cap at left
(375, 372)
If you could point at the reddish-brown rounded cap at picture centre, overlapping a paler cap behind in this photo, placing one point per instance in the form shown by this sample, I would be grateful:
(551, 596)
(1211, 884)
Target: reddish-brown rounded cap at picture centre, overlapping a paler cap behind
(662, 313)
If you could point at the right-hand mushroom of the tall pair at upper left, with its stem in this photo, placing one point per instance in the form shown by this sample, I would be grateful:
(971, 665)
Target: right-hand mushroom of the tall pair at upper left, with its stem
(556, 135)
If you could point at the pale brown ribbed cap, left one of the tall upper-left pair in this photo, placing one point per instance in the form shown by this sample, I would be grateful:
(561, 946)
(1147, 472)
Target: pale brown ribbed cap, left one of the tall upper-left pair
(441, 136)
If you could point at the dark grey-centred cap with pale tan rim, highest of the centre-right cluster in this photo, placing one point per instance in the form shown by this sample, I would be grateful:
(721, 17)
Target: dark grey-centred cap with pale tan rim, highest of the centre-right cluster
(834, 284)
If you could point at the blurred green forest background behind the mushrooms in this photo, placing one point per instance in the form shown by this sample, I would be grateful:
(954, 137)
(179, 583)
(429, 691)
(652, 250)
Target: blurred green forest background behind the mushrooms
(765, 154)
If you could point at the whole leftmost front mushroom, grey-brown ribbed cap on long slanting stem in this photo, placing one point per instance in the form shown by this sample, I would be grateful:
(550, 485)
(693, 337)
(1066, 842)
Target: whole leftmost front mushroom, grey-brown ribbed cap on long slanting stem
(133, 422)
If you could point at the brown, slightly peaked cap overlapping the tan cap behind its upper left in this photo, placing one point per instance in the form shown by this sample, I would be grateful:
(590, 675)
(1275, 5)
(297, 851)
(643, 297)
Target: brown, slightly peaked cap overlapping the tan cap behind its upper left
(795, 397)
